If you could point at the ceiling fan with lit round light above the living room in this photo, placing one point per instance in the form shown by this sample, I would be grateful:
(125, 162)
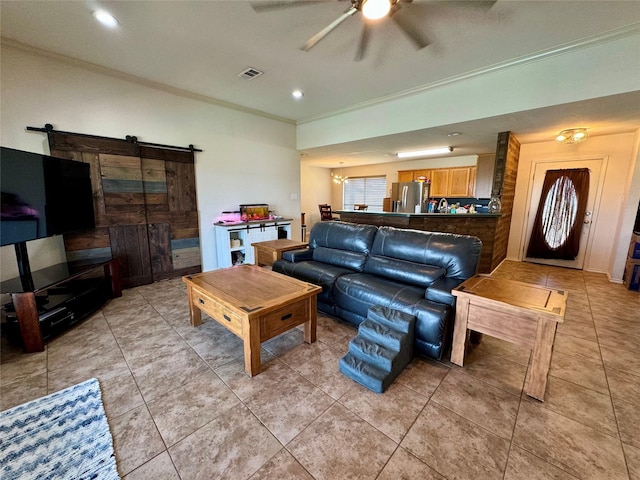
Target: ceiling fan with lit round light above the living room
(371, 10)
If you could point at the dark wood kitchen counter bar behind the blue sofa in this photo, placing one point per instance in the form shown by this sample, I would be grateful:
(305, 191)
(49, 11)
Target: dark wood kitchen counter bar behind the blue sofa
(481, 225)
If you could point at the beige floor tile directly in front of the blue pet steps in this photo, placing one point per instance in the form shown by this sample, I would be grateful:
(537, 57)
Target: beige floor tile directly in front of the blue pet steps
(392, 413)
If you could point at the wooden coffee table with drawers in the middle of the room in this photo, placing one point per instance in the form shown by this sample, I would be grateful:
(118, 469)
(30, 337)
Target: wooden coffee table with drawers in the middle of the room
(254, 303)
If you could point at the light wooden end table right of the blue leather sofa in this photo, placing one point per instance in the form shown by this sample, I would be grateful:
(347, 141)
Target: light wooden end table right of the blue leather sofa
(517, 312)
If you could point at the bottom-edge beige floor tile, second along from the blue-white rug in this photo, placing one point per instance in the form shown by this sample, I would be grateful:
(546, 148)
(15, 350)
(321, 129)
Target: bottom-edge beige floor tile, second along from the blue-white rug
(233, 445)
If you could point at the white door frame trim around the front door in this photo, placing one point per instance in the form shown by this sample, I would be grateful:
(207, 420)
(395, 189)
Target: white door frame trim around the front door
(604, 159)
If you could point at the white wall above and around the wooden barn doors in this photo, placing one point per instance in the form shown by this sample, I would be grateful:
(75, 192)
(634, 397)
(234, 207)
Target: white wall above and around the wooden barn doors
(246, 158)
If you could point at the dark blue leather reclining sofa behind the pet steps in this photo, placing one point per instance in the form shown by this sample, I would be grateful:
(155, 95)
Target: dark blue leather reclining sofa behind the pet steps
(359, 266)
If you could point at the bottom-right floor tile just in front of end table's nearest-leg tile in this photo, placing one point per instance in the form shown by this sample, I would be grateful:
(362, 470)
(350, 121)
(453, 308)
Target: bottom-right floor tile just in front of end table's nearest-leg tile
(580, 450)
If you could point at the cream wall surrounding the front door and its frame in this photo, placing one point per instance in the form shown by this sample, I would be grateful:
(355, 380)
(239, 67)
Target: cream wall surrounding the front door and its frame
(616, 210)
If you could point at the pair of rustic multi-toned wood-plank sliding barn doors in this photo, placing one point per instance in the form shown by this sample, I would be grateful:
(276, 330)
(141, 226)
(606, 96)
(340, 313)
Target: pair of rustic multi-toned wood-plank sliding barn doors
(145, 206)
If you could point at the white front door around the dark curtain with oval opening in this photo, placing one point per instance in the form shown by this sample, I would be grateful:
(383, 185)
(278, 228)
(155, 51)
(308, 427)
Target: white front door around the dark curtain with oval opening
(595, 167)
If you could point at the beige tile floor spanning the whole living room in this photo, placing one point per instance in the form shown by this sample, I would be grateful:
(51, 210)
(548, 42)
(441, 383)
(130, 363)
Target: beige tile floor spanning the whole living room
(180, 406)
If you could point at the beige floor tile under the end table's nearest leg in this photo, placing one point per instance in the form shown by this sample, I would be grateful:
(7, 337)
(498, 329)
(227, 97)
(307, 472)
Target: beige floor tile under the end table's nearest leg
(582, 404)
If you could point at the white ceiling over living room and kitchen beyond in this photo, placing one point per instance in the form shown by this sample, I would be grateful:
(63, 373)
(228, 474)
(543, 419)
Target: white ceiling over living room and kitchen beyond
(201, 46)
